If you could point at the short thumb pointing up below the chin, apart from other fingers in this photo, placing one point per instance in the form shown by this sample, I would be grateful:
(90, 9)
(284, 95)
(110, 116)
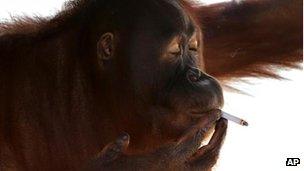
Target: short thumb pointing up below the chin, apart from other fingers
(113, 150)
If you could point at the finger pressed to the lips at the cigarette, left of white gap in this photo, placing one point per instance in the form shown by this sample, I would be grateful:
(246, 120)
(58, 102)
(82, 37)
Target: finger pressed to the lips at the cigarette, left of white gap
(192, 139)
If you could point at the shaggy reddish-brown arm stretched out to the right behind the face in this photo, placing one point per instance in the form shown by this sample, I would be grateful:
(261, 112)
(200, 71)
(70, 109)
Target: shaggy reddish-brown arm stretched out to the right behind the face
(242, 39)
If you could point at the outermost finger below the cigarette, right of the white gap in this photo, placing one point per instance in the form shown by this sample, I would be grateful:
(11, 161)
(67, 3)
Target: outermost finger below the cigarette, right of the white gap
(210, 152)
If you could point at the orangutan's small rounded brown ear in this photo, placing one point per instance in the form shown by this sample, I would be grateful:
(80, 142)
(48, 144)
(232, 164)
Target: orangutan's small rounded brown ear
(105, 47)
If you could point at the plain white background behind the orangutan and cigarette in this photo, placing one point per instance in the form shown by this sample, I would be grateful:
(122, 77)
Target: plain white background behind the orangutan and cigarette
(274, 110)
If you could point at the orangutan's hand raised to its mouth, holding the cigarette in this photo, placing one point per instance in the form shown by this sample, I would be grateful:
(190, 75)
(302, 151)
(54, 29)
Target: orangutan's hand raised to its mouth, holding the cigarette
(184, 154)
